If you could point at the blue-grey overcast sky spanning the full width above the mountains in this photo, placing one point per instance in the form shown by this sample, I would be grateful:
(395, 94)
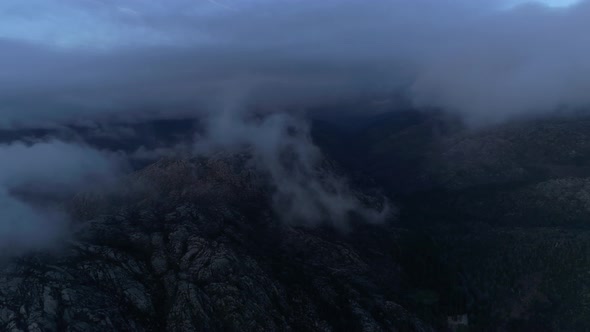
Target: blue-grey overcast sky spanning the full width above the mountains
(489, 60)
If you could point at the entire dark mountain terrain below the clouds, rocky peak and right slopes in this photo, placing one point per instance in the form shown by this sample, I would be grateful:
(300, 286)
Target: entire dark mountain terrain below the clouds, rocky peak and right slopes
(491, 233)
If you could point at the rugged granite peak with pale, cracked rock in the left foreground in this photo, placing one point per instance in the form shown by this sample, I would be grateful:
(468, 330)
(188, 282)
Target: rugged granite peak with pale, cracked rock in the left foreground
(192, 245)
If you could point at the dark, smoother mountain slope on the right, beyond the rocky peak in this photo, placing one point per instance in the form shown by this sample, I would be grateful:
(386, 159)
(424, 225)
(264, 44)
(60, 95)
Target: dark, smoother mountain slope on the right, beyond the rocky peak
(507, 206)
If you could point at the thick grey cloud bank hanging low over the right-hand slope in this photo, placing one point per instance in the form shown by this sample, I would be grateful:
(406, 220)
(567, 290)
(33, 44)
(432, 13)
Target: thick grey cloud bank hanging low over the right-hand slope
(528, 61)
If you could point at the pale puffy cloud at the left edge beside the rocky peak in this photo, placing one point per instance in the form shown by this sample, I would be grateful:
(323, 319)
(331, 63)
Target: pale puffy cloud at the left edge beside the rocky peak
(43, 170)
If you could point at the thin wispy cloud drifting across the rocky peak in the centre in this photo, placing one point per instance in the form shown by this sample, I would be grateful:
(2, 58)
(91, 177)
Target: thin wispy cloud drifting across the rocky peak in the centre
(305, 189)
